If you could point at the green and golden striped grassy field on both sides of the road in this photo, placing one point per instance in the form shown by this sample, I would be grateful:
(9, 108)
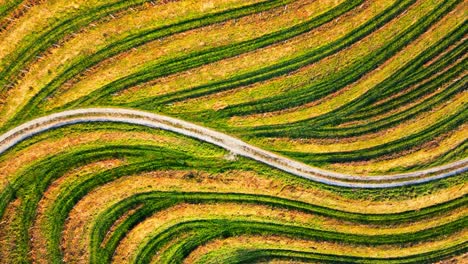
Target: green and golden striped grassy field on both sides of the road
(58, 197)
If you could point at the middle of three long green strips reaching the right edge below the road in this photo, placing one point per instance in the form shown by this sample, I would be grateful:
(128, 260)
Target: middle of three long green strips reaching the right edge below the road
(222, 228)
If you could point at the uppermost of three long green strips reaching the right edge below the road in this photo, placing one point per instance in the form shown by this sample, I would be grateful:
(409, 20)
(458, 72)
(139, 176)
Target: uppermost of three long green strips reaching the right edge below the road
(158, 201)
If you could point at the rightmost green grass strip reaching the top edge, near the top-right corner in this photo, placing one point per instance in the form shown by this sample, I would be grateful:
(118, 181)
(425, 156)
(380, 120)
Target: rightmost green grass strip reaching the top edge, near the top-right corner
(352, 73)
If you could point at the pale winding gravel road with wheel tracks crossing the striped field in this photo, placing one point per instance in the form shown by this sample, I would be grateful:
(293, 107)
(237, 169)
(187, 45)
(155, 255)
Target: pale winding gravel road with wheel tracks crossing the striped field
(234, 145)
